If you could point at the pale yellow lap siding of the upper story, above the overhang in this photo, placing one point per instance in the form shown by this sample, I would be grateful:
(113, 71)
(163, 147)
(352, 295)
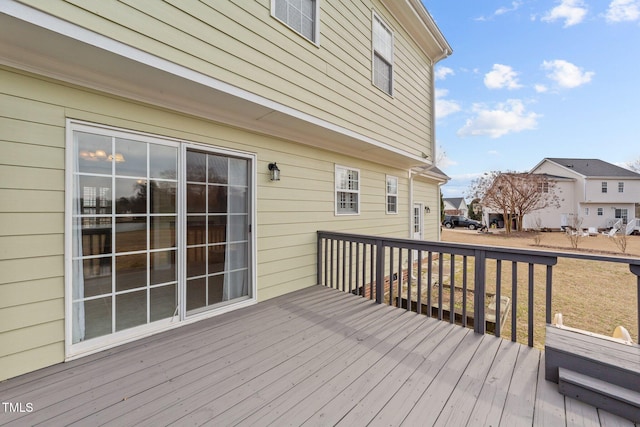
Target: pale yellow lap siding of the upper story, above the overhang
(331, 81)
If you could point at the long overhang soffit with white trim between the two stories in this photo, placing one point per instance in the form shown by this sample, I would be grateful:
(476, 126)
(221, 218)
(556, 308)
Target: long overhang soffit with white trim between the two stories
(40, 43)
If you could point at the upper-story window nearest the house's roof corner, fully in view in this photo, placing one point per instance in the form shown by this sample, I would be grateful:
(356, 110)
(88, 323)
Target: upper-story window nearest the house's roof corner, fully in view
(382, 55)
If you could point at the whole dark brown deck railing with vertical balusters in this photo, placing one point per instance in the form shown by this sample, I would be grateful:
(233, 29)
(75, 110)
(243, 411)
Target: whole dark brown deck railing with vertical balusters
(411, 273)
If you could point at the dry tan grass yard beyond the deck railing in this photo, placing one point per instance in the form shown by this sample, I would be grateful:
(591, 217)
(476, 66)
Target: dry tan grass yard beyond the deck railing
(591, 295)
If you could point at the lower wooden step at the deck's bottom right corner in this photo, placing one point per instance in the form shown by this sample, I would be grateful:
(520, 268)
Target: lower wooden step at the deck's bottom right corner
(601, 394)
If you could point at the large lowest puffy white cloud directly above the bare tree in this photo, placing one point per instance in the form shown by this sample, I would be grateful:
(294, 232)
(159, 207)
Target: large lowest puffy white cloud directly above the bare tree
(507, 117)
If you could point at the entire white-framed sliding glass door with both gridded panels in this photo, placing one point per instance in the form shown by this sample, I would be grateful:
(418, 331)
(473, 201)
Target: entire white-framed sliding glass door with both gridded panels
(160, 231)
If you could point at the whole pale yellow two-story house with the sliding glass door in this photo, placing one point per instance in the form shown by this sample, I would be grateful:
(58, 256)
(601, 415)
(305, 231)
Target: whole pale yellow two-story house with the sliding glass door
(138, 143)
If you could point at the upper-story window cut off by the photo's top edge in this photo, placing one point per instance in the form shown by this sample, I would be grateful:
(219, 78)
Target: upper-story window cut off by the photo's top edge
(300, 15)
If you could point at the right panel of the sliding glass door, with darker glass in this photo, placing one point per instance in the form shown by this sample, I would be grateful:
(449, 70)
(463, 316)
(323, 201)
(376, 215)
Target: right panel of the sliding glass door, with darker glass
(217, 211)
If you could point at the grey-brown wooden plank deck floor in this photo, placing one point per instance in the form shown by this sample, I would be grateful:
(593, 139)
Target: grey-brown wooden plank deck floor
(313, 357)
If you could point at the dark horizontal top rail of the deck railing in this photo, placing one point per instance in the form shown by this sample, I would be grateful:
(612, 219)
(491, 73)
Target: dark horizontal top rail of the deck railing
(493, 252)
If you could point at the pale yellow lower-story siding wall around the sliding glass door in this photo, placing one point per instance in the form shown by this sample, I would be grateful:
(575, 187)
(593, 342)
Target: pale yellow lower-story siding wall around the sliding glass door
(33, 114)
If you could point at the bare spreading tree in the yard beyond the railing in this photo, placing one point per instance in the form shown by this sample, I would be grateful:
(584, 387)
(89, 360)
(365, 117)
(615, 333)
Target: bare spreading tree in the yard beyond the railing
(515, 194)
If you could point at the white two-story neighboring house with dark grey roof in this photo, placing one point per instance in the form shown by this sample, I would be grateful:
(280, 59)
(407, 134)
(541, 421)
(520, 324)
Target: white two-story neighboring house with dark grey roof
(591, 192)
